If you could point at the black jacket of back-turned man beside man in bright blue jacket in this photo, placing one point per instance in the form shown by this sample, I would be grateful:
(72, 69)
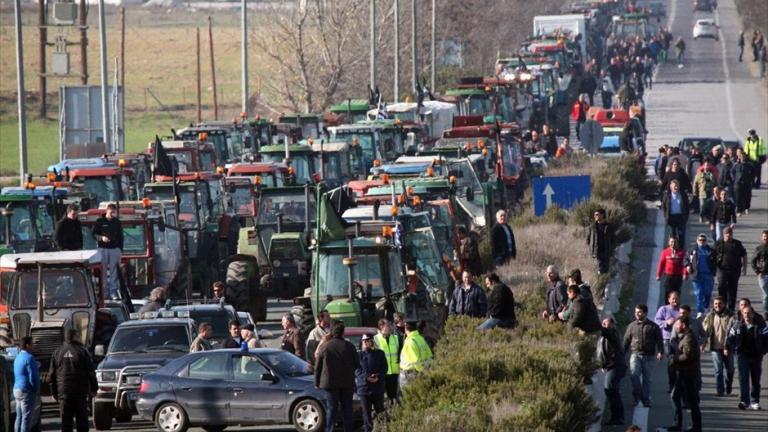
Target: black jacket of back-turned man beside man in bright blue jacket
(72, 375)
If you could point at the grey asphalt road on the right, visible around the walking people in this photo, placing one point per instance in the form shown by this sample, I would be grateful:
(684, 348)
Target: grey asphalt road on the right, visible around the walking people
(713, 95)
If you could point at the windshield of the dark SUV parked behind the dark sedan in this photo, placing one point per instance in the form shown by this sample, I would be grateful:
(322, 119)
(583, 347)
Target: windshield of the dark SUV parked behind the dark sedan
(150, 338)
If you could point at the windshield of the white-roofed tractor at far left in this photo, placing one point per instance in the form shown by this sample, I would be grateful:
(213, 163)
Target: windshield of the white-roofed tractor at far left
(61, 288)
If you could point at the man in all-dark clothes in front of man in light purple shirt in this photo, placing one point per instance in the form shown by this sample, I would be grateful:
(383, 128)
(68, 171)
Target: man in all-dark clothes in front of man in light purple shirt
(685, 360)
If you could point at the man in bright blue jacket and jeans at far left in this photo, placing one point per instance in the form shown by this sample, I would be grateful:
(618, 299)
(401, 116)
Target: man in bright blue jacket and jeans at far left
(26, 387)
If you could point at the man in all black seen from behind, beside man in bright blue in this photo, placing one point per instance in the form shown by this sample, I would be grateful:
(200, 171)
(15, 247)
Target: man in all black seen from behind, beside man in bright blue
(73, 379)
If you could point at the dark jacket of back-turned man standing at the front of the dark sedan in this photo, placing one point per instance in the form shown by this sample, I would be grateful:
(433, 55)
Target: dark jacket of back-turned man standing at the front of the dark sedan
(335, 365)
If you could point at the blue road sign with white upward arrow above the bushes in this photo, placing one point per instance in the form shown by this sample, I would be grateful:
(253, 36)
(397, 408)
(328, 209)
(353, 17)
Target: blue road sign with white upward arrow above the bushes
(565, 192)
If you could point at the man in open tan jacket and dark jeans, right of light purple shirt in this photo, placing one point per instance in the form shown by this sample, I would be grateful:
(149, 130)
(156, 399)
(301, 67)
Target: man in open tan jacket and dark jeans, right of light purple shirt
(716, 325)
